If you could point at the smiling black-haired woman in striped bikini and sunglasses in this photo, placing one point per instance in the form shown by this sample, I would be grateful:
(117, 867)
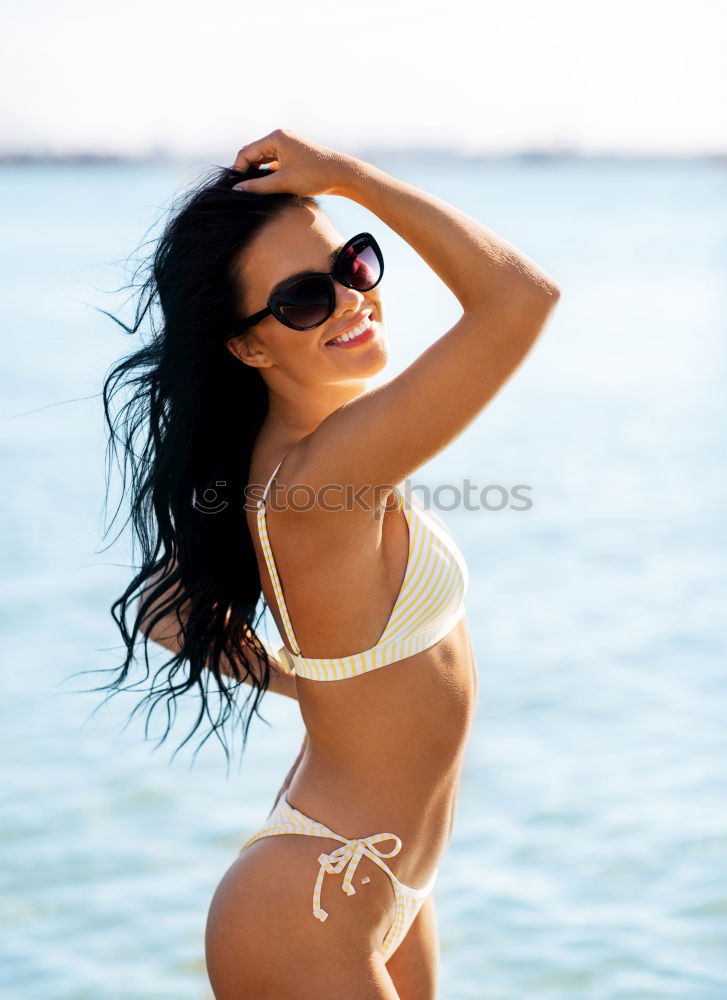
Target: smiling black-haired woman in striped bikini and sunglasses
(366, 589)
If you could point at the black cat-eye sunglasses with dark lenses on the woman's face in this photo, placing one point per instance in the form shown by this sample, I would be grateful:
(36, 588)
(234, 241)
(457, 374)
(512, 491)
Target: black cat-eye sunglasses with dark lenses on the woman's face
(305, 301)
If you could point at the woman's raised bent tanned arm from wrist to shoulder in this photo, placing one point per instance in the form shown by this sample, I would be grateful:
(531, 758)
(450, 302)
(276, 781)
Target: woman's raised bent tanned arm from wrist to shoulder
(387, 433)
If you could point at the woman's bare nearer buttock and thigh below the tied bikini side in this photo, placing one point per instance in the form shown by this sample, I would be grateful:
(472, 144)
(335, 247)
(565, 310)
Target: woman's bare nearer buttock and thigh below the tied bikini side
(263, 942)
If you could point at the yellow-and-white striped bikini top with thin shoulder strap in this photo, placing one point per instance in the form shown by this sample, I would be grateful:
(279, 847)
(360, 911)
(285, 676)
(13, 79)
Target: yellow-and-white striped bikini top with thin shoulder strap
(429, 604)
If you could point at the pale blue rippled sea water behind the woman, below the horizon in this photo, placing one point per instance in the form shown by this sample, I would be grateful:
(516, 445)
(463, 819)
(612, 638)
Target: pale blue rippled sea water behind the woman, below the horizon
(589, 857)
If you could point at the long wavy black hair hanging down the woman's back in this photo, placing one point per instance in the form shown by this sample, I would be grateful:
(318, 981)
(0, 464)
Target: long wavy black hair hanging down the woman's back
(187, 423)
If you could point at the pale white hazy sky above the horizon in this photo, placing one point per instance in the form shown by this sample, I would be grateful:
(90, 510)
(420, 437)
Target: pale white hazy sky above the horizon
(476, 76)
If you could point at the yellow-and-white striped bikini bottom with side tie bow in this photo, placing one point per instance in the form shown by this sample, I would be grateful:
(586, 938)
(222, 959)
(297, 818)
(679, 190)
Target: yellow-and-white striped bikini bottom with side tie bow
(284, 818)
